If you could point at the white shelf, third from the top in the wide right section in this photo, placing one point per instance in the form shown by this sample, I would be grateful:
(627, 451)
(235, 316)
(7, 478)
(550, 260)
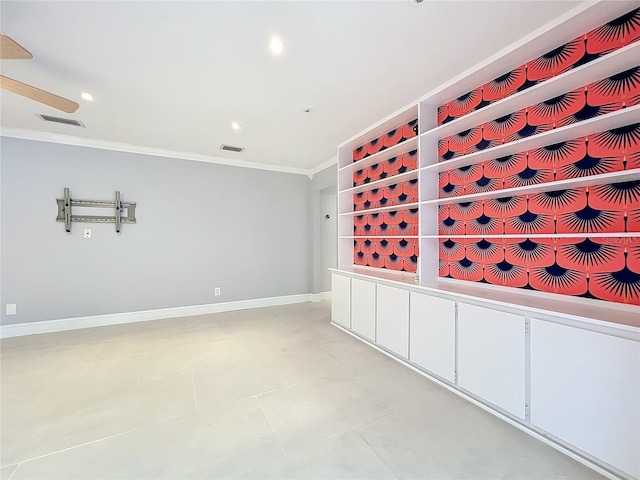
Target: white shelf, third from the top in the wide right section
(613, 177)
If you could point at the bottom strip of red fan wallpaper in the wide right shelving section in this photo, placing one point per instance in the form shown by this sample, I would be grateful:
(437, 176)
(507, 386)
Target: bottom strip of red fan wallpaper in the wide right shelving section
(605, 268)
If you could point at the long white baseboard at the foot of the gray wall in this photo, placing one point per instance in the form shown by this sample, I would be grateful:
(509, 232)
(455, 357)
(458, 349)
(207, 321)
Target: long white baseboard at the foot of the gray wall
(60, 325)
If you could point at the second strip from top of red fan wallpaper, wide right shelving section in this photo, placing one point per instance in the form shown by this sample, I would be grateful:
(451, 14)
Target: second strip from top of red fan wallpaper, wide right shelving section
(599, 98)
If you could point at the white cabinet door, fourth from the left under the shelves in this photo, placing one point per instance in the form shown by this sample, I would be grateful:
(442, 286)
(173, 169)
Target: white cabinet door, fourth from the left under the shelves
(432, 339)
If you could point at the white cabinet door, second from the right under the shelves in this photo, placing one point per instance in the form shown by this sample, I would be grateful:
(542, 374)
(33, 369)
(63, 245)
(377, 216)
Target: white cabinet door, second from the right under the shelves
(491, 356)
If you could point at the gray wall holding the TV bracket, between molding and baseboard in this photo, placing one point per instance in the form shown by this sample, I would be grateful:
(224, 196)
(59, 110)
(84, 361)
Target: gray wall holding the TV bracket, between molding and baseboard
(200, 226)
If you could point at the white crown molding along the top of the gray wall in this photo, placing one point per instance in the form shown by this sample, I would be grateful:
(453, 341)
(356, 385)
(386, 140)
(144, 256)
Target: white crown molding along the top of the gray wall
(40, 136)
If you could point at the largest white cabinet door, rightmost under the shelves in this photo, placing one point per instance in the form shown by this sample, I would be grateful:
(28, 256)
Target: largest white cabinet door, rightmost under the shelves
(585, 389)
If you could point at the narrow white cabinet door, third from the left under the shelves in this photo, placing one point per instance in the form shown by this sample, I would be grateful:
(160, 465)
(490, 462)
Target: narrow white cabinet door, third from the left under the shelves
(393, 319)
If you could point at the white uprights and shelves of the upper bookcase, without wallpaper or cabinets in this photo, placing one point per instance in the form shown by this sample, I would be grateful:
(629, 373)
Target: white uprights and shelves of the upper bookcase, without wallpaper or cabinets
(430, 165)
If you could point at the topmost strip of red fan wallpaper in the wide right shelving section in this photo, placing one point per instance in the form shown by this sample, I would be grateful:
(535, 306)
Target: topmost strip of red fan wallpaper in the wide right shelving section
(609, 37)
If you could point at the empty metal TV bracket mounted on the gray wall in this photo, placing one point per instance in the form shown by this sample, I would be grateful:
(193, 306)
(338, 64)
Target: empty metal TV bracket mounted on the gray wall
(66, 204)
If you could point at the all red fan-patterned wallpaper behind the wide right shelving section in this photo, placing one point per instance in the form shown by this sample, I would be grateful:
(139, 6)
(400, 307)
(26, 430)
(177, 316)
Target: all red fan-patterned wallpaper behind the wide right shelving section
(606, 266)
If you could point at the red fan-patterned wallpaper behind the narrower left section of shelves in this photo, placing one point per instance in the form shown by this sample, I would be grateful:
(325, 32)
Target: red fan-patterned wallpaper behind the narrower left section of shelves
(387, 239)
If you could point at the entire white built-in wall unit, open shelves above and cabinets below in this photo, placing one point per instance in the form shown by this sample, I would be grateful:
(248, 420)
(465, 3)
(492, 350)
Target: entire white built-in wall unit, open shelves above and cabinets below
(466, 334)
